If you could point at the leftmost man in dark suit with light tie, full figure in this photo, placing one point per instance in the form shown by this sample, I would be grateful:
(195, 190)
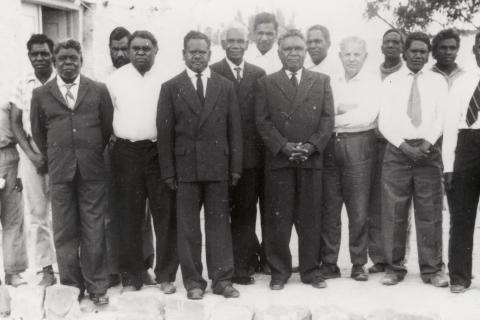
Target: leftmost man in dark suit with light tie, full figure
(71, 118)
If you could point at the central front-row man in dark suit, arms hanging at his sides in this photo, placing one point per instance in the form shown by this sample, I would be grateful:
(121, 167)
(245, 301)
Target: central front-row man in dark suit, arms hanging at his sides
(200, 149)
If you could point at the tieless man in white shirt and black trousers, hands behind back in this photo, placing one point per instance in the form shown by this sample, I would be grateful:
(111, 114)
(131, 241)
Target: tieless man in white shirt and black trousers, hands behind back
(135, 89)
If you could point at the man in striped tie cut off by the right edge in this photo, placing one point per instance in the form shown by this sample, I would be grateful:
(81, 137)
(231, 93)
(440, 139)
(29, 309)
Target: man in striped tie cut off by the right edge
(461, 160)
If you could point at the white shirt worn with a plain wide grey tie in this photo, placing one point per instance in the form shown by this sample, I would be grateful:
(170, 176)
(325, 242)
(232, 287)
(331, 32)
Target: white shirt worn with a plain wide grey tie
(394, 122)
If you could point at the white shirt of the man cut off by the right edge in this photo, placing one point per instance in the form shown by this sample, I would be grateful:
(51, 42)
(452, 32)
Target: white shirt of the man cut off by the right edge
(456, 115)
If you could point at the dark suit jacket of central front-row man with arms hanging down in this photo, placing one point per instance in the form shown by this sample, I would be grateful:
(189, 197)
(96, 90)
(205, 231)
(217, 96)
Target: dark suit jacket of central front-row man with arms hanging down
(195, 142)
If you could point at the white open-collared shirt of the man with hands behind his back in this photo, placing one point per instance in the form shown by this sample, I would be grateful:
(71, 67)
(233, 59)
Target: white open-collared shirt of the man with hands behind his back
(135, 101)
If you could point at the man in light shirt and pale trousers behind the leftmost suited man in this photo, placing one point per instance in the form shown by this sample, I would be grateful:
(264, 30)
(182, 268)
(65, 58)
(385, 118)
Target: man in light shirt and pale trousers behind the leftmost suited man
(32, 165)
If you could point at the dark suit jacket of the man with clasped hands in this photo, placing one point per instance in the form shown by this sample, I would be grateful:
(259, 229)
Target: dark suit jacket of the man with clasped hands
(285, 115)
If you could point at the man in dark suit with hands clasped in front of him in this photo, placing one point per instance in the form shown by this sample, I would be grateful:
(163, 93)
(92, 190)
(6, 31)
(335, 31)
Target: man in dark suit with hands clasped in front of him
(294, 116)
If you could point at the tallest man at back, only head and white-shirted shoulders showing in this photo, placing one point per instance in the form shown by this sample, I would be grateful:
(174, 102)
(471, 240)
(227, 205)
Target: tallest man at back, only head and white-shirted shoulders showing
(265, 52)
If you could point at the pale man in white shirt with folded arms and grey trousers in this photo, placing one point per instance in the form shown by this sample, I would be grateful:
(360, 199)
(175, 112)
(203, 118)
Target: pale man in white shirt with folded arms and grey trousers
(349, 159)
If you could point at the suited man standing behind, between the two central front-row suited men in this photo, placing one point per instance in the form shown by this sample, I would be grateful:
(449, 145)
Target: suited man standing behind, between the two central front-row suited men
(244, 197)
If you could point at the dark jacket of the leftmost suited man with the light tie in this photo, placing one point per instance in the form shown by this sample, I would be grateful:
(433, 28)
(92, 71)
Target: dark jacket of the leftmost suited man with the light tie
(72, 138)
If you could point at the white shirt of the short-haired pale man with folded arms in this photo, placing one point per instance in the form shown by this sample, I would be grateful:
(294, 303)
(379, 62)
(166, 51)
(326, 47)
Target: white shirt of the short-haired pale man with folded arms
(357, 102)
